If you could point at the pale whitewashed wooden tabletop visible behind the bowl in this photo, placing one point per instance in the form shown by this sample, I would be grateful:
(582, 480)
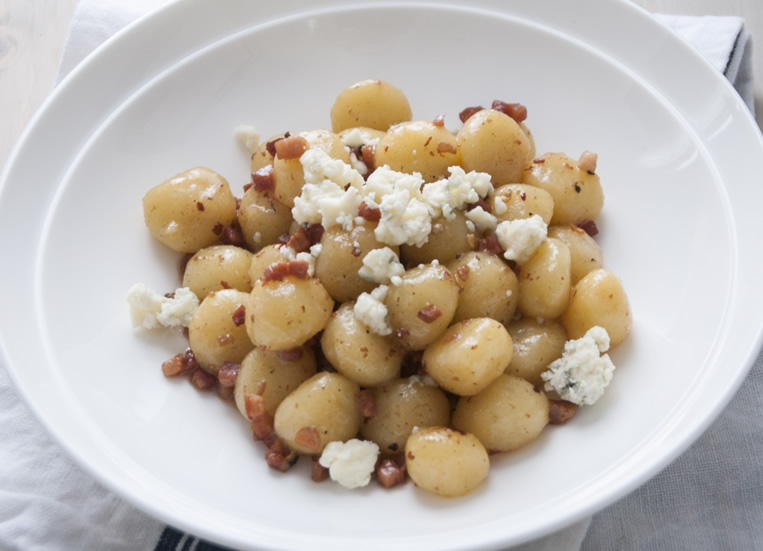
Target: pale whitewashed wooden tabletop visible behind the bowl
(32, 35)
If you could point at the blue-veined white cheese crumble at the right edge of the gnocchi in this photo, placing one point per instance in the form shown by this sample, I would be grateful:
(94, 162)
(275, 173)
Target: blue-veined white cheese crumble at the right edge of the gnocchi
(581, 374)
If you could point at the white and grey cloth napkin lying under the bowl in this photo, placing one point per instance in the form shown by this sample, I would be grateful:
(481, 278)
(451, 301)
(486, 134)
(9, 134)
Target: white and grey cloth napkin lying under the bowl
(710, 498)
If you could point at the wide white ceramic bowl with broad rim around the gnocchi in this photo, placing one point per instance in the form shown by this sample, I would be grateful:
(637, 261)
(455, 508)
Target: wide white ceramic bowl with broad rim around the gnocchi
(676, 158)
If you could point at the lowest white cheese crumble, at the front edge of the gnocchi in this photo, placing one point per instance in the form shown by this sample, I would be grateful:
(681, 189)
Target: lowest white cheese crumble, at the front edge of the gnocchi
(350, 463)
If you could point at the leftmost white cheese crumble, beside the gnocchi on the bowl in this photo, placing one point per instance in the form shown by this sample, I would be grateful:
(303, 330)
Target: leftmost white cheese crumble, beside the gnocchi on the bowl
(151, 310)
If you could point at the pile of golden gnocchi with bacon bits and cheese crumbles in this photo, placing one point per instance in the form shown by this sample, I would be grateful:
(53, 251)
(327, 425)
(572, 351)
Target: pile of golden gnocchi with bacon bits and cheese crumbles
(391, 298)
